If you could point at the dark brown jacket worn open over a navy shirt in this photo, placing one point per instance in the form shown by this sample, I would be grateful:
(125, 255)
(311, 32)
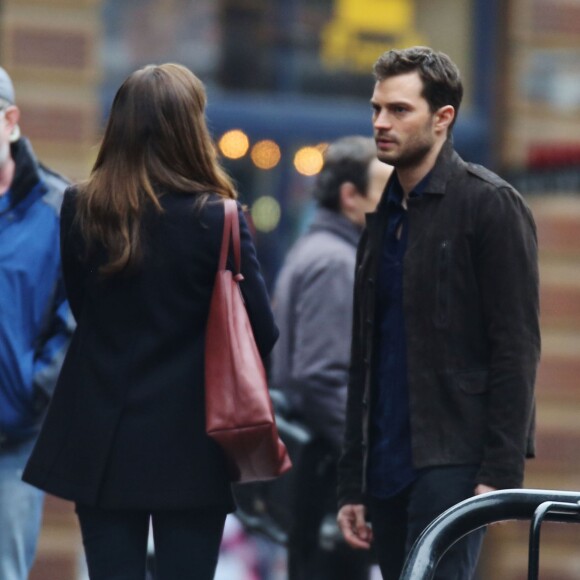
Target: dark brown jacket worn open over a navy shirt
(472, 325)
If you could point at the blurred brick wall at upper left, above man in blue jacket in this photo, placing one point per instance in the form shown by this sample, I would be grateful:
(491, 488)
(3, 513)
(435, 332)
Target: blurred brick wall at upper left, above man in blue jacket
(50, 48)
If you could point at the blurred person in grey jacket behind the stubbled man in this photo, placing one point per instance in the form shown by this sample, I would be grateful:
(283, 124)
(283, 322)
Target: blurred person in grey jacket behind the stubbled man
(313, 309)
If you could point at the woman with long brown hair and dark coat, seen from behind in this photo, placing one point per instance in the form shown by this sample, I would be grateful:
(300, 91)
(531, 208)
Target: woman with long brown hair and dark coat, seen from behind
(125, 434)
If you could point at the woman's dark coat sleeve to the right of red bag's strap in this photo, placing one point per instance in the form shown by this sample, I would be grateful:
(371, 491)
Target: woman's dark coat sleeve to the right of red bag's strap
(255, 293)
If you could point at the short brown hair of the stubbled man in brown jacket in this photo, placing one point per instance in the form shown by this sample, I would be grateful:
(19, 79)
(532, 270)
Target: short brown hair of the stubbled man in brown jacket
(440, 75)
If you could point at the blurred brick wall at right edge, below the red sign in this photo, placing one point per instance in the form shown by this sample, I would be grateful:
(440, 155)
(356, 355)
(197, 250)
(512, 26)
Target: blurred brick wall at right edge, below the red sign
(557, 465)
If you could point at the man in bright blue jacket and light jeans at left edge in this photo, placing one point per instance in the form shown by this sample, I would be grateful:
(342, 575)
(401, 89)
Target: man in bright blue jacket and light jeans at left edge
(35, 327)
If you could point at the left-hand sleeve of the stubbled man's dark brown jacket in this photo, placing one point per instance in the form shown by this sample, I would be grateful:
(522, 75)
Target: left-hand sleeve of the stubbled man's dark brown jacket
(350, 465)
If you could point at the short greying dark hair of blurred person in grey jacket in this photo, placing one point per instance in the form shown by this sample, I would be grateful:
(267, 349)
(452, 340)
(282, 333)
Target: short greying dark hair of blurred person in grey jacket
(345, 160)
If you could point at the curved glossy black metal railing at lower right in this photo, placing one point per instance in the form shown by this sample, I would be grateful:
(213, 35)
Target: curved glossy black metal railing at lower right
(476, 512)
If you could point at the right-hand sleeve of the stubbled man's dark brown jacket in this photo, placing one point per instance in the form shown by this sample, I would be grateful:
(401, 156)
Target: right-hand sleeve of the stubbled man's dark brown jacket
(507, 270)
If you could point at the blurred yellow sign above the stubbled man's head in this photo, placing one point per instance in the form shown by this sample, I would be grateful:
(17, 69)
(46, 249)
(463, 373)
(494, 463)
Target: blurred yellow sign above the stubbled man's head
(361, 30)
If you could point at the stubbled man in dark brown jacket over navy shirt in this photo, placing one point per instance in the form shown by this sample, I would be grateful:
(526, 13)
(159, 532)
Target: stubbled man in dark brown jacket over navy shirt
(446, 336)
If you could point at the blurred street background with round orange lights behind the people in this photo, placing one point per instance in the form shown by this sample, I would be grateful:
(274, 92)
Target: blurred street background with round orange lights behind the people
(284, 77)
